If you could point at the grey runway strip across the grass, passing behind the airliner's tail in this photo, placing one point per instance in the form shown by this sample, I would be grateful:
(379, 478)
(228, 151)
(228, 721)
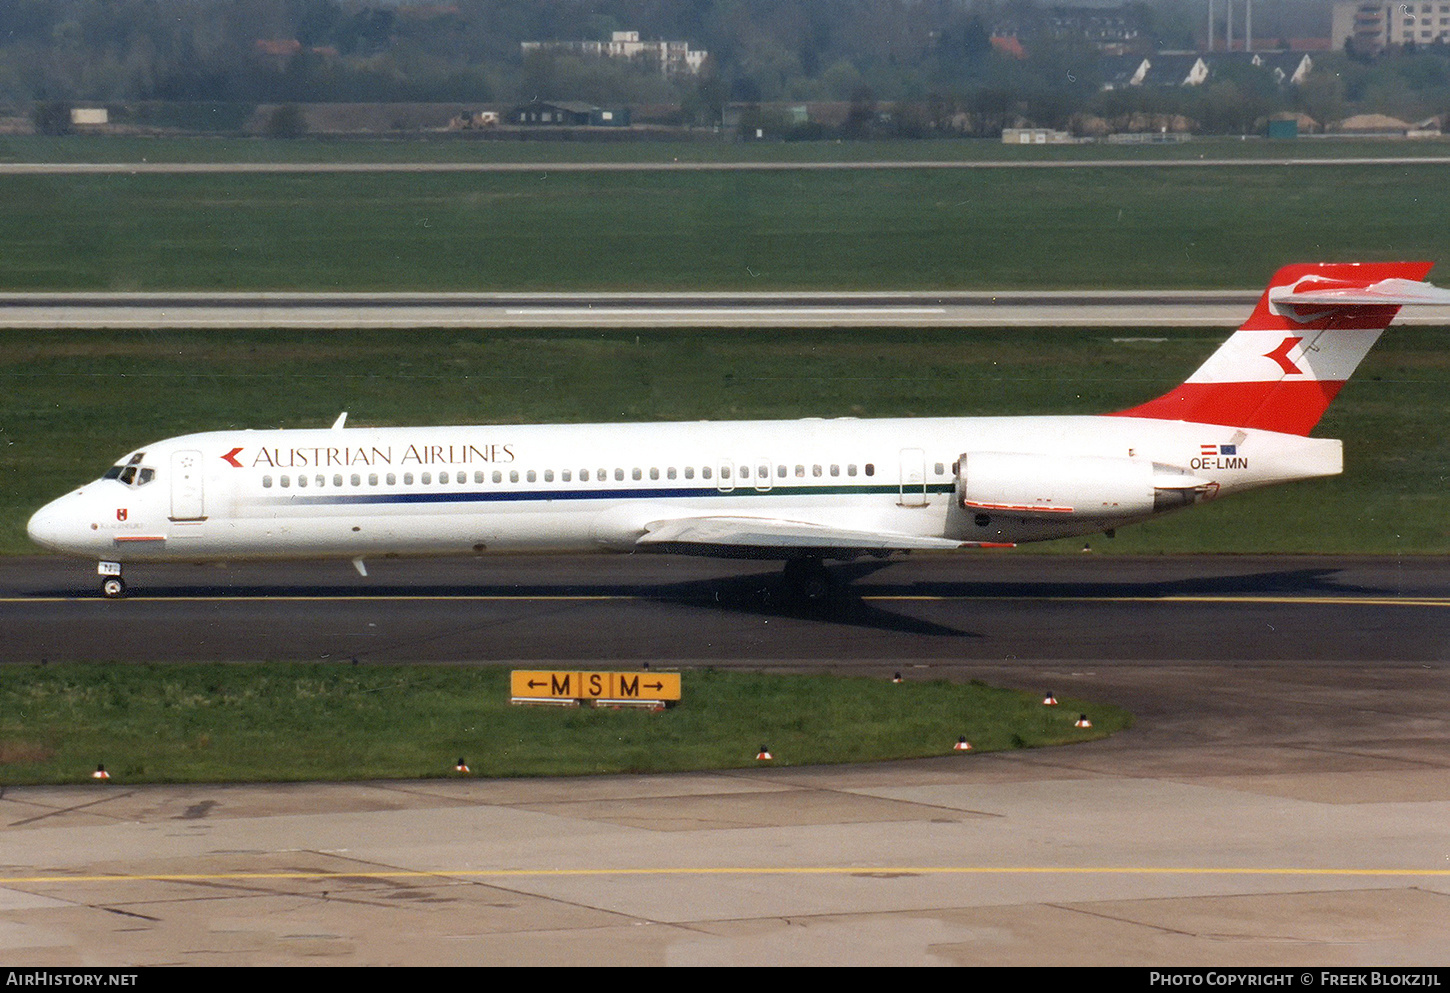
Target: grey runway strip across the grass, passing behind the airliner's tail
(355, 311)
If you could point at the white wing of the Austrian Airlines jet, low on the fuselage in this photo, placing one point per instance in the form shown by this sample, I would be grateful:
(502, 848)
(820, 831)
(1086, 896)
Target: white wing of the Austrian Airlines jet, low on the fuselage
(772, 533)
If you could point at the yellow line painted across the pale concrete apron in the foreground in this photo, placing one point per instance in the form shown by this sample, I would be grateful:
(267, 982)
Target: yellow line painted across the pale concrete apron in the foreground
(734, 871)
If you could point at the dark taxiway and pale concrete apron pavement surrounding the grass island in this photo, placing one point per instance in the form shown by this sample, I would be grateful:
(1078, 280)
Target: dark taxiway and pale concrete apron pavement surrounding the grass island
(1281, 799)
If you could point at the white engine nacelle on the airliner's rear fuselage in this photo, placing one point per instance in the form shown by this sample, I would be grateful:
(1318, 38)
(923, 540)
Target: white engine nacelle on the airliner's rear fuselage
(1072, 486)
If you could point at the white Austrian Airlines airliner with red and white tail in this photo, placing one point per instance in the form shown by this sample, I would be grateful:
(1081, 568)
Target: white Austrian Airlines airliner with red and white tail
(797, 491)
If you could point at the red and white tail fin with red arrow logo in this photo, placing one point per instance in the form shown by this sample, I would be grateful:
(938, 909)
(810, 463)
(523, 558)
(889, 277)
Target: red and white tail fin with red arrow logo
(1313, 327)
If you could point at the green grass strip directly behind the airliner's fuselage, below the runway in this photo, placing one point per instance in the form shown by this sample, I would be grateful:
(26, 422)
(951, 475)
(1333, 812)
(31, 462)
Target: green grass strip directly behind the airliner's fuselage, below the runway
(72, 404)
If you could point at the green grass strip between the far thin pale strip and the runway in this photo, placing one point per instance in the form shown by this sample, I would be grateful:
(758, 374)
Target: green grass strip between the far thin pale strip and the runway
(894, 230)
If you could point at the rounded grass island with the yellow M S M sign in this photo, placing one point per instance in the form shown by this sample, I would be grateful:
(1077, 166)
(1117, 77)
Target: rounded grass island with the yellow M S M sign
(282, 723)
